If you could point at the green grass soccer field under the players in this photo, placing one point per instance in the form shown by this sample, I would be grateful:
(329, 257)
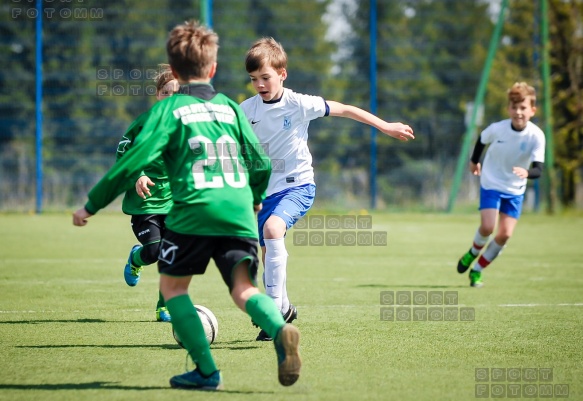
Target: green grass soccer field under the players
(71, 329)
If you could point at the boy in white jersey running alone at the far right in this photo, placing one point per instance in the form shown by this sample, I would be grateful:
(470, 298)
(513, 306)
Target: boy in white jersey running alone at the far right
(516, 152)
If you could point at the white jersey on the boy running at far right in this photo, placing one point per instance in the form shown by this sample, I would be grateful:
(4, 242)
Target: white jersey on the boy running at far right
(508, 149)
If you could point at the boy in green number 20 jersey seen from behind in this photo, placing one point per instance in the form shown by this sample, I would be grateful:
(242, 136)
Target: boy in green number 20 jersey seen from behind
(218, 175)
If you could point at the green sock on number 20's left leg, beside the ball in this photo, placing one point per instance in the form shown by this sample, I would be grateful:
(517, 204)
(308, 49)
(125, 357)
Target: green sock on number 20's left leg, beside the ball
(188, 327)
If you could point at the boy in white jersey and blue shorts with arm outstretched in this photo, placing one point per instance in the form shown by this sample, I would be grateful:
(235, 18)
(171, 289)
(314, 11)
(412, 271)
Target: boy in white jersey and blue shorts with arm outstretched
(280, 119)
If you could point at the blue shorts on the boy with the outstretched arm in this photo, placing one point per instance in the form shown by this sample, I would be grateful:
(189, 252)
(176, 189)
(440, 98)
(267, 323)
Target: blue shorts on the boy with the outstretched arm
(290, 205)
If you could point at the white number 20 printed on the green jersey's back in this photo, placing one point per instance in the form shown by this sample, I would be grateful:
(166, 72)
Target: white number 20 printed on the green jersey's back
(222, 165)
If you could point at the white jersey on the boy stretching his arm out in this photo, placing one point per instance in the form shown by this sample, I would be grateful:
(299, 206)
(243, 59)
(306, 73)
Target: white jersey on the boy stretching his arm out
(282, 128)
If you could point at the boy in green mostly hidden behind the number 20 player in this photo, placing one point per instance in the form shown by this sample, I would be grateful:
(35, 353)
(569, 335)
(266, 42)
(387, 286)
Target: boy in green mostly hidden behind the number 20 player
(148, 206)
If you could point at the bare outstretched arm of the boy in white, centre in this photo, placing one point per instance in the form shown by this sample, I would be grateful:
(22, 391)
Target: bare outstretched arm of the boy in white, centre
(399, 131)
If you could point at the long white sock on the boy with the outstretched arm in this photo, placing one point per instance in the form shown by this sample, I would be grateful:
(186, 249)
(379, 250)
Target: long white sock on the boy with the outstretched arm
(275, 271)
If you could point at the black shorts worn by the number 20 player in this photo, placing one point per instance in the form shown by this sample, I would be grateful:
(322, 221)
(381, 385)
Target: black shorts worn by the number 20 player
(187, 255)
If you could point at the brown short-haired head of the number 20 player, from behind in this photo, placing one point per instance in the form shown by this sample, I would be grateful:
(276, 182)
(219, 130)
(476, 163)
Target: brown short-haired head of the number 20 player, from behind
(192, 50)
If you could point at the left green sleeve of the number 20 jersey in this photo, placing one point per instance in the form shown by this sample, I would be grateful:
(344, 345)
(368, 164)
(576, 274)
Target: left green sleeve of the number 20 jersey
(121, 177)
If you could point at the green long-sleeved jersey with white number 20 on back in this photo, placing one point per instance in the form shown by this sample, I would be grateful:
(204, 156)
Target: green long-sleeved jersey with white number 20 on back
(216, 166)
